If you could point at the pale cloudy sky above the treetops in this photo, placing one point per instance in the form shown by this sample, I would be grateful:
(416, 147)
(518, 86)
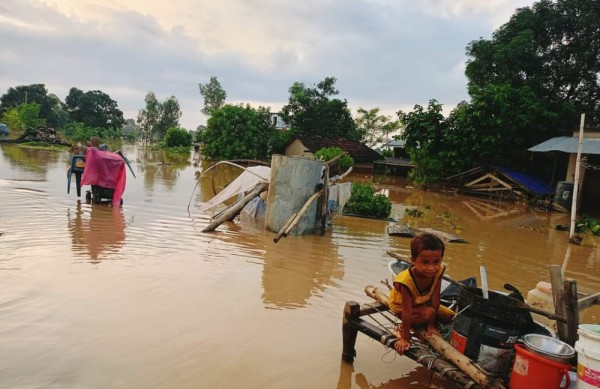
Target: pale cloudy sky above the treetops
(390, 54)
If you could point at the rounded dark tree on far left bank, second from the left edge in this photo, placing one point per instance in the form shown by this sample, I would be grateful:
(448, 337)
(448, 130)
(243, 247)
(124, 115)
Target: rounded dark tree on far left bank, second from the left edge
(94, 109)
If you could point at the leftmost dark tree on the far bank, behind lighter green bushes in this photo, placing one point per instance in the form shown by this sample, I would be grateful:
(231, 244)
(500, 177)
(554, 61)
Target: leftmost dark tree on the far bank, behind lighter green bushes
(34, 93)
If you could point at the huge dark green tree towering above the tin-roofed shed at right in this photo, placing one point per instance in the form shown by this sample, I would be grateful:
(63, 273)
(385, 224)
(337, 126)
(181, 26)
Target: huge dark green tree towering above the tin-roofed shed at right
(540, 70)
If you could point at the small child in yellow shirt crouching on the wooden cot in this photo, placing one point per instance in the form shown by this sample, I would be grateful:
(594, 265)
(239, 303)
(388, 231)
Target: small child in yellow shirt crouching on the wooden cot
(415, 297)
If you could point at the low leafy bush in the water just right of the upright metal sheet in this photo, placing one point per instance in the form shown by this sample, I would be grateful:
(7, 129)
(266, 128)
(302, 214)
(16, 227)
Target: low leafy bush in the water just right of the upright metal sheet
(365, 202)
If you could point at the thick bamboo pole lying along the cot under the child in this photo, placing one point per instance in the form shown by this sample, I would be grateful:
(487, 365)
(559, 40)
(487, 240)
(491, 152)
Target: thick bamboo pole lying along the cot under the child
(473, 370)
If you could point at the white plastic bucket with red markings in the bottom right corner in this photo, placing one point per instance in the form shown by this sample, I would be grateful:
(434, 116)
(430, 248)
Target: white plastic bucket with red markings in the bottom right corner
(588, 356)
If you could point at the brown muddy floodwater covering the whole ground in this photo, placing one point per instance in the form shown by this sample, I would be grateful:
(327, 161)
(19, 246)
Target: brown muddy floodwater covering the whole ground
(138, 297)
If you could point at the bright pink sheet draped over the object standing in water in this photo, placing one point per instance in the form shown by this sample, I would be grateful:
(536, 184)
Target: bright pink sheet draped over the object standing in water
(106, 169)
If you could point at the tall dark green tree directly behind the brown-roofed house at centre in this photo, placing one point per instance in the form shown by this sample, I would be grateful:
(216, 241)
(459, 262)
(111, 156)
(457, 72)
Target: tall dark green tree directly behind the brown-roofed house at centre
(312, 111)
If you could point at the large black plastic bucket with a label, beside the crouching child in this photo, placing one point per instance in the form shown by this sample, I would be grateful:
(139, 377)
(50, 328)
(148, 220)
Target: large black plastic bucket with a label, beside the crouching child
(485, 330)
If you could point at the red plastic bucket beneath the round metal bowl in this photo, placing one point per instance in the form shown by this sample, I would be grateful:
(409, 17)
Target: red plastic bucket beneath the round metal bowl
(531, 370)
